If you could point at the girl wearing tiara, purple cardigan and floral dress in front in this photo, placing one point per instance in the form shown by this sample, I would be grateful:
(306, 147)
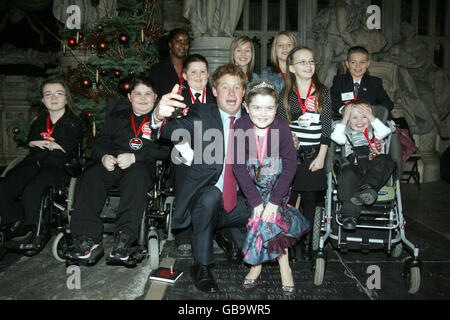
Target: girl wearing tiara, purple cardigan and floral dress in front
(264, 174)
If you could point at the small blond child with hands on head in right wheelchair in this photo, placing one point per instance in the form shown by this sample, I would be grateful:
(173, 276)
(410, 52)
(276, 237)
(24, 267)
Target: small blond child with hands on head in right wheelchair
(366, 166)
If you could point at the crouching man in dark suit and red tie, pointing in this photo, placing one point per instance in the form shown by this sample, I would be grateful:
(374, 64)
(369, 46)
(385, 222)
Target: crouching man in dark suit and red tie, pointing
(208, 197)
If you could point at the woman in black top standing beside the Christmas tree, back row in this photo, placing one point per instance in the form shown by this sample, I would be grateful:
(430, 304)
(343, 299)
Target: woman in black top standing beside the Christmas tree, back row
(168, 72)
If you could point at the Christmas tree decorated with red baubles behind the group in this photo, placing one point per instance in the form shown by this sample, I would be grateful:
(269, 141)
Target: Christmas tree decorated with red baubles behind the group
(122, 45)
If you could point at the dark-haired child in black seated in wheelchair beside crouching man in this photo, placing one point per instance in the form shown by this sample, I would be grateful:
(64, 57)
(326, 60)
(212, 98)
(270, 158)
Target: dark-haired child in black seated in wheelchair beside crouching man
(123, 156)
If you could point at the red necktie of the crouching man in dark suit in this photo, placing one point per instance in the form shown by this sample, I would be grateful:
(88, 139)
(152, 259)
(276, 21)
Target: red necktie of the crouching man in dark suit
(229, 181)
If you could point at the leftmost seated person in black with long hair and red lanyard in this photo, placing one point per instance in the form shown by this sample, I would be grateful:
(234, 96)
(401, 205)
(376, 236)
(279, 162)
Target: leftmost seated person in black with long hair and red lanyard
(54, 137)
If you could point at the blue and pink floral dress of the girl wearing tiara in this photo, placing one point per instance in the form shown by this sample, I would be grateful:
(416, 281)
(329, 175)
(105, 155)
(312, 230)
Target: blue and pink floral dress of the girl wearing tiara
(266, 241)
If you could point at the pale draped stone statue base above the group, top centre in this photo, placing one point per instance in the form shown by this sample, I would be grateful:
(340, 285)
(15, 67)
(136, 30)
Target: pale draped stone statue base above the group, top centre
(213, 18)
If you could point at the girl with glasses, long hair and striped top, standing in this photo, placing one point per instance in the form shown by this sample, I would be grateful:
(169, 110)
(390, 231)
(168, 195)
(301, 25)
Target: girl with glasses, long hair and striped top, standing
(305, 103)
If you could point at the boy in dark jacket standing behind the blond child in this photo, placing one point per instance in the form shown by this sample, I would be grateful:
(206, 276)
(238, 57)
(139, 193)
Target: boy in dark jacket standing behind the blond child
(357, 84)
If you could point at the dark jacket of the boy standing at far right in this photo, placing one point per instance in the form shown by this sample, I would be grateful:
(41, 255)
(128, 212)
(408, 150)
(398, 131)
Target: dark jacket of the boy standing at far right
(370, 89)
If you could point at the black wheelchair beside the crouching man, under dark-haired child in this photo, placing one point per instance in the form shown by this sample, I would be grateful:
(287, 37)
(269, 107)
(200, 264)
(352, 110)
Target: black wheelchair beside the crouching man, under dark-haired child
(155, 220)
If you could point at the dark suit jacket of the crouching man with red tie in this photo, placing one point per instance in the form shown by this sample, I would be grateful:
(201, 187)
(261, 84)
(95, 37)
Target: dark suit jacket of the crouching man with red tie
(201, 117)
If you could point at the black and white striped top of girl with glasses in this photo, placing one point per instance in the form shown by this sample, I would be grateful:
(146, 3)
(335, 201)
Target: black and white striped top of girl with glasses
(317, 133)
